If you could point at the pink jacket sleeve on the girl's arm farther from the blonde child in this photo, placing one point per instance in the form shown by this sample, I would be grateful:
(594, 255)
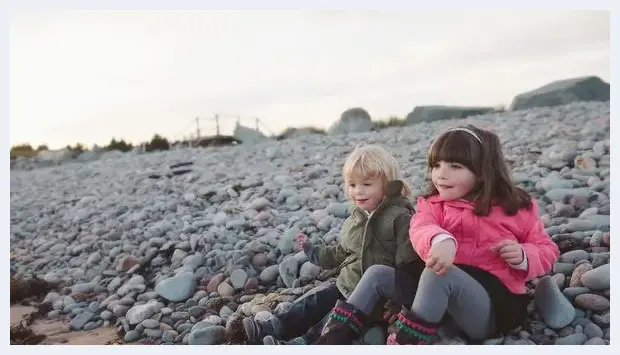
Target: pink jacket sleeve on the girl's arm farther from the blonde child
(541, 252)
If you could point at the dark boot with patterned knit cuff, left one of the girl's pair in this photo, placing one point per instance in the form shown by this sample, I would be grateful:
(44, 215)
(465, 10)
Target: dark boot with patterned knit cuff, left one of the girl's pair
(344, 324)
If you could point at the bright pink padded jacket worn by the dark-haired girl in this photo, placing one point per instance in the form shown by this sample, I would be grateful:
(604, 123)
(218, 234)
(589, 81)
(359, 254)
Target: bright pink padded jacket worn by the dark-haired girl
(475, 235)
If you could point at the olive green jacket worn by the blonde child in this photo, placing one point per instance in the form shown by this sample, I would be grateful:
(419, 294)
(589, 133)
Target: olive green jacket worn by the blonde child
(382, 238)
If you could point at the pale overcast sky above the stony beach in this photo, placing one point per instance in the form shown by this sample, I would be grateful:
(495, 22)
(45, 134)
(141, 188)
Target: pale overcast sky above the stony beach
(88, 76)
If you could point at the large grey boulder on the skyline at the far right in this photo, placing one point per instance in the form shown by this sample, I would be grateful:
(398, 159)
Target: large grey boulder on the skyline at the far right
(562, 92)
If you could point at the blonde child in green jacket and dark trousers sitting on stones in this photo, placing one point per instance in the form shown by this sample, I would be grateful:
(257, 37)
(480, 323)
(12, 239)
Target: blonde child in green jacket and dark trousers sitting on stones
(375, 233)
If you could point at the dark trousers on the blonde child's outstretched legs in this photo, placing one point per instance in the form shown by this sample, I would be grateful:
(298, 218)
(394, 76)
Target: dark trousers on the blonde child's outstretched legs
(306, 316)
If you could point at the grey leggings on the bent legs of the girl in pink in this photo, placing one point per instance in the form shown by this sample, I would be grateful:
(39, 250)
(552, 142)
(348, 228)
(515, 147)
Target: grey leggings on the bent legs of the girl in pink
(455, 292)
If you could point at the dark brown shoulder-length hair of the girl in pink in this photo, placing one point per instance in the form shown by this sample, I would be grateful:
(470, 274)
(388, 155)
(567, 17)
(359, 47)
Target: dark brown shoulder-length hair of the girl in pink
(486, 160)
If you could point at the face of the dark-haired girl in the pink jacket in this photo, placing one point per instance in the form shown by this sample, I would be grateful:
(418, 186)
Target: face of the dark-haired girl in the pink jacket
(452, 180)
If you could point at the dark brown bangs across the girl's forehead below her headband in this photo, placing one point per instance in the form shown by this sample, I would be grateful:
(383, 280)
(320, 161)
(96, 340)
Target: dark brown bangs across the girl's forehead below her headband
(456, 147)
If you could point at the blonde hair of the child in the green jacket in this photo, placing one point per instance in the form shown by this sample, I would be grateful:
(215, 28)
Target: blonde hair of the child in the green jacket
(370, 161)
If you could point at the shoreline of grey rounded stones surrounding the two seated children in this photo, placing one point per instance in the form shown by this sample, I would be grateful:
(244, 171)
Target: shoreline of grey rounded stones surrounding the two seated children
(181, 259)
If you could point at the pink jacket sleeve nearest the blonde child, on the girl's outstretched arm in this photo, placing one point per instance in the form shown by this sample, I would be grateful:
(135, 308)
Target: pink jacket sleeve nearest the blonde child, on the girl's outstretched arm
(424, 226)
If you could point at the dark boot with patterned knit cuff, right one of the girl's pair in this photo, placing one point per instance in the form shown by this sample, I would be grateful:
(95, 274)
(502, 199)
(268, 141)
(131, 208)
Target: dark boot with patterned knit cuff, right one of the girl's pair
(410, 329)
